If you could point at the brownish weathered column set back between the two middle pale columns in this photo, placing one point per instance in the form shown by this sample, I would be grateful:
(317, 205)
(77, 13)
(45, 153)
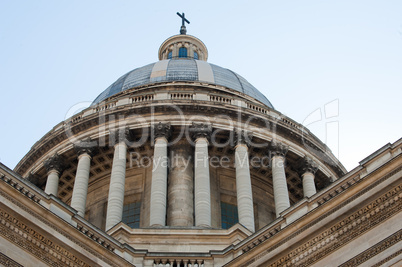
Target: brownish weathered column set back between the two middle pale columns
(181, 186)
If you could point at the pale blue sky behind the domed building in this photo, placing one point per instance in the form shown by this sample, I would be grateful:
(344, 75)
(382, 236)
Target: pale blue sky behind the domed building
(335, 66)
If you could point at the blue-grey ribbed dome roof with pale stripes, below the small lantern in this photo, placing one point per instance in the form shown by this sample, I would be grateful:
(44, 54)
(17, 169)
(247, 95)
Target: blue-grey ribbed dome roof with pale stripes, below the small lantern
(182, 70)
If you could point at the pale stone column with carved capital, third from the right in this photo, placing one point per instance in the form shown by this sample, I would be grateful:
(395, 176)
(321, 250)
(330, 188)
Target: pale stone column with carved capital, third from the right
(243, 181)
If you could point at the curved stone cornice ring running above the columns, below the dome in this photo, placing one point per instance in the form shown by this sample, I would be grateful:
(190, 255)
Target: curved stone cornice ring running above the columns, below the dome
(74, 129)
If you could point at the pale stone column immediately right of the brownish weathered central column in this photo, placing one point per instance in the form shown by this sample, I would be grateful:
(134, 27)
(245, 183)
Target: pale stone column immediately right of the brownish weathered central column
(202, 192)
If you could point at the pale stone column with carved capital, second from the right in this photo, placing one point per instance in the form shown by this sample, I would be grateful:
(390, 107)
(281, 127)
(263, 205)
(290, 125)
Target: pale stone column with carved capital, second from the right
(281, 194)
